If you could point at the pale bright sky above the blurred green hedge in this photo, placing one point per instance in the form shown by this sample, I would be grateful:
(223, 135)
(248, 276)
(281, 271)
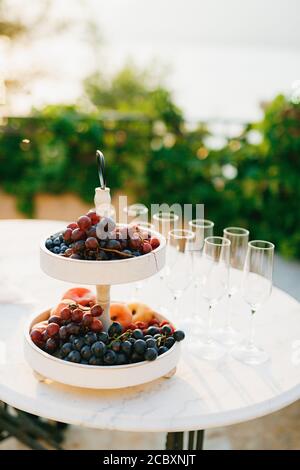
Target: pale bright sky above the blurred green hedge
(220, 58)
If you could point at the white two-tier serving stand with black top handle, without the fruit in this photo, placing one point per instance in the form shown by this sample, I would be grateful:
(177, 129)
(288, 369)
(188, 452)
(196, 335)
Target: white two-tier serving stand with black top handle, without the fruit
(103, 274)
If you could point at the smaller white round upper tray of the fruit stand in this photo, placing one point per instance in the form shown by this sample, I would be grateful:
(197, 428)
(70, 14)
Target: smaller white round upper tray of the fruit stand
(104, 272)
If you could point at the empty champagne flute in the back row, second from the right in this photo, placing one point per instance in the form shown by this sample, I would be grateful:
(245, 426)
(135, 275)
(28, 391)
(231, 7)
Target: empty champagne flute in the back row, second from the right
(202, 228)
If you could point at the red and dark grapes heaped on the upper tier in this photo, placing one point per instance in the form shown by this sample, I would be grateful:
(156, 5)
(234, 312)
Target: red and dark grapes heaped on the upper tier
(96, 238)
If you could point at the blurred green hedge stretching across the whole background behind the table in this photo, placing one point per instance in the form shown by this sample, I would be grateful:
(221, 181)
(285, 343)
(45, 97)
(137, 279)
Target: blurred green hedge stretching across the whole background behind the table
(252, 181)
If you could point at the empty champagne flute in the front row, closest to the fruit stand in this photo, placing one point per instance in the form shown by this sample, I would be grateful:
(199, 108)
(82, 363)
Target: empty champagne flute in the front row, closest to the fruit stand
(179, 276)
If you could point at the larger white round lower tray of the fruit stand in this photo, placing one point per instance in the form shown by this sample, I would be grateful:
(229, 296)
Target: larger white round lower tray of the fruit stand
(97, 377)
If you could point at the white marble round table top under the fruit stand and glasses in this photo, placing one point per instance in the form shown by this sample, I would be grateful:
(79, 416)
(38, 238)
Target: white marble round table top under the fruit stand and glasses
(201, 394)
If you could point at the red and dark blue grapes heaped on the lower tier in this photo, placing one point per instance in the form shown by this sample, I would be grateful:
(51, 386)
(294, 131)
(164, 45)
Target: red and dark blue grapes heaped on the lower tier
(76, 336)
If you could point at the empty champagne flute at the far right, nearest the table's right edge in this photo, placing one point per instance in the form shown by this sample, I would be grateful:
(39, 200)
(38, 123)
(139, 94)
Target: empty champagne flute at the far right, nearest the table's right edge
(256, 289)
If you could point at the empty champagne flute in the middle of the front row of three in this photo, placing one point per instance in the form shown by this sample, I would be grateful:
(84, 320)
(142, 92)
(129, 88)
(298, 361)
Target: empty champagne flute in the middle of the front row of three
(213, 285)
